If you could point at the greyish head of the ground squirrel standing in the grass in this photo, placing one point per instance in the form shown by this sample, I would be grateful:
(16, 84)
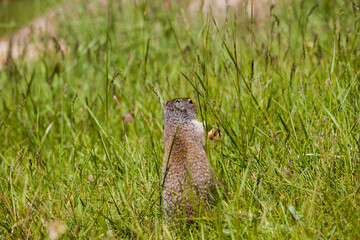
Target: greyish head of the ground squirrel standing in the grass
(179, 110)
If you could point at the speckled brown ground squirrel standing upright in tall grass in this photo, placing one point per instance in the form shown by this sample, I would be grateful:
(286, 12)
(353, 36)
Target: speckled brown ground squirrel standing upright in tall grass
(188, 178)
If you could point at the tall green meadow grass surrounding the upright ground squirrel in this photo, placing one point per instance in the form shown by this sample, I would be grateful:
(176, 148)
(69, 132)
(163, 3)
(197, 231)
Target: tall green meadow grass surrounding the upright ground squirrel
(81, 130)
